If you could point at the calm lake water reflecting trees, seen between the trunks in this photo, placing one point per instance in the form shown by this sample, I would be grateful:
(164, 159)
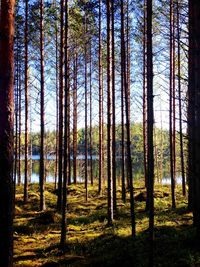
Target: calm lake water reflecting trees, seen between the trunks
(50, 170)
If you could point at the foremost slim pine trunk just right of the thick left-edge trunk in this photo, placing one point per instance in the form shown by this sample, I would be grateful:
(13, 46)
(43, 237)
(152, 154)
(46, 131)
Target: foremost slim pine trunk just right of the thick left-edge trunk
(26, 106)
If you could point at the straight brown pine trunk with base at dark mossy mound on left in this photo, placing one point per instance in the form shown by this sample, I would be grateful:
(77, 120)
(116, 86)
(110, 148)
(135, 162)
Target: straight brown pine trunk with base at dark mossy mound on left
(42, 167)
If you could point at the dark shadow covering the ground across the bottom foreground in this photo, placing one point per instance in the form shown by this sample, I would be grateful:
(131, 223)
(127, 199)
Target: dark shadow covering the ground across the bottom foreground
(173, 246)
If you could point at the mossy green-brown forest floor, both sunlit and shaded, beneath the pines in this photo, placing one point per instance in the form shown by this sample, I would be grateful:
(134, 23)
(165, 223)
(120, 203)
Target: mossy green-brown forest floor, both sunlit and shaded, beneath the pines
(90, 242)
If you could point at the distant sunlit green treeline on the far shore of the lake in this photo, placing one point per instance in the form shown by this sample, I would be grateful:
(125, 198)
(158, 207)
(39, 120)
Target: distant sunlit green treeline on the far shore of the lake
(161, 137)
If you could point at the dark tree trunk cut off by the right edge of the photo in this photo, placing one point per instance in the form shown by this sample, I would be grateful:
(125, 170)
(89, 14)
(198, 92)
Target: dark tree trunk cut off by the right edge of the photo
(194, 109)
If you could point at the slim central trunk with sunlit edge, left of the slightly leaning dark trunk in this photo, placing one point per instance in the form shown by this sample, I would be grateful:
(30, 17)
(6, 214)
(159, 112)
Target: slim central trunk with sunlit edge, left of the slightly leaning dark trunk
(109, 115)
